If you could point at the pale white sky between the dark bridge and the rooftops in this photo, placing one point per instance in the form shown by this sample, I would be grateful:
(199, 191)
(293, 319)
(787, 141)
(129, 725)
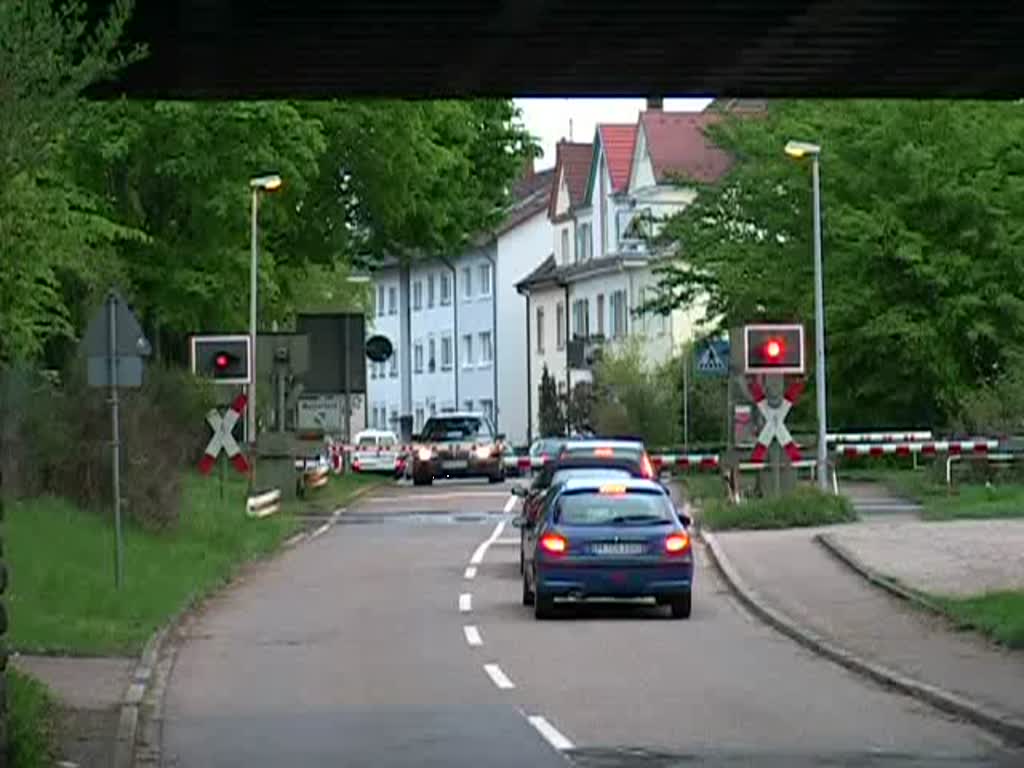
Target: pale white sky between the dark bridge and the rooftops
(549, 119)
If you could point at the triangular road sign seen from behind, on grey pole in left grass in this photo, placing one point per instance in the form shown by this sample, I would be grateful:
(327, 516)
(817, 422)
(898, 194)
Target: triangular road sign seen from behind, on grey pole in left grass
(115, 346)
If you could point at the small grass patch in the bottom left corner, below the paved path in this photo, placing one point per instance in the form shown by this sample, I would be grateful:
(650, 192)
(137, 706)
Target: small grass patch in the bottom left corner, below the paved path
(31, 722)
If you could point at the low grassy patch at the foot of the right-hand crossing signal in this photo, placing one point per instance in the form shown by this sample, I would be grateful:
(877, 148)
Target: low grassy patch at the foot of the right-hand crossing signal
(805, 506)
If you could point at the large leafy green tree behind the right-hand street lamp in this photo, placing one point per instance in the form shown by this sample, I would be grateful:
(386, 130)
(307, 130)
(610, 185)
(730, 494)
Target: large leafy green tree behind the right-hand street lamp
(923, 225)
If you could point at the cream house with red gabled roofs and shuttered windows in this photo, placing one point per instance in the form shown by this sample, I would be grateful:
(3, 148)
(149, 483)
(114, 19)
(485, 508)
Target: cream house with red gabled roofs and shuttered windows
(585, 296)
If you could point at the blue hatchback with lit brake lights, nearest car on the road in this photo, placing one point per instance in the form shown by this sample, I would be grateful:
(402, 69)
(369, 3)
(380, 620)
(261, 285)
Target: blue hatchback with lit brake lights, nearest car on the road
(608, 538)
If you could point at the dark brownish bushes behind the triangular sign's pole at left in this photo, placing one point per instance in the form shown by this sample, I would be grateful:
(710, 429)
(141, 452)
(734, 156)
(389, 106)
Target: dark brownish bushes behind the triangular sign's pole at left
(58, 440)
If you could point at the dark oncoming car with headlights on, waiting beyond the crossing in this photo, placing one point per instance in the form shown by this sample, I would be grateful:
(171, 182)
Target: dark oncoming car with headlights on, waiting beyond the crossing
(458, 445)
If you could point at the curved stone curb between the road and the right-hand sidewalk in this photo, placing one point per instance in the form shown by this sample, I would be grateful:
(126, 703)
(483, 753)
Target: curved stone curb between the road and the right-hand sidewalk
(1004, 726)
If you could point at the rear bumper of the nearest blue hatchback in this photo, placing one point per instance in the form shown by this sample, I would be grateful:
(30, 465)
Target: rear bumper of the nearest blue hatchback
(615, 581)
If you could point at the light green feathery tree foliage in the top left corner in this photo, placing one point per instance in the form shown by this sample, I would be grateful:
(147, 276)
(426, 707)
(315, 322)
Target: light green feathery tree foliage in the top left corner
(55, 243)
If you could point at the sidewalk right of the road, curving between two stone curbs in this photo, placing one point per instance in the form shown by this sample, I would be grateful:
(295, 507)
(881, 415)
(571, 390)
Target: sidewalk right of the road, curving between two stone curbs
(795, 575)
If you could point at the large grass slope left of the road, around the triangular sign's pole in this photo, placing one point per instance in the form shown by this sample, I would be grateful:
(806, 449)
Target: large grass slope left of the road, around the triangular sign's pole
(63, 598)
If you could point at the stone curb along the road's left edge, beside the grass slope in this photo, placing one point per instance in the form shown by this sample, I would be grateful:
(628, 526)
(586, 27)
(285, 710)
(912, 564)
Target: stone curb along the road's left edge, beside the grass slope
(153, 671)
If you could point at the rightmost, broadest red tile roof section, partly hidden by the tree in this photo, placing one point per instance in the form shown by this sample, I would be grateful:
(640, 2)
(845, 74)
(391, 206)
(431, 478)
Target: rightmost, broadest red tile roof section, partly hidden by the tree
(677, 145)
